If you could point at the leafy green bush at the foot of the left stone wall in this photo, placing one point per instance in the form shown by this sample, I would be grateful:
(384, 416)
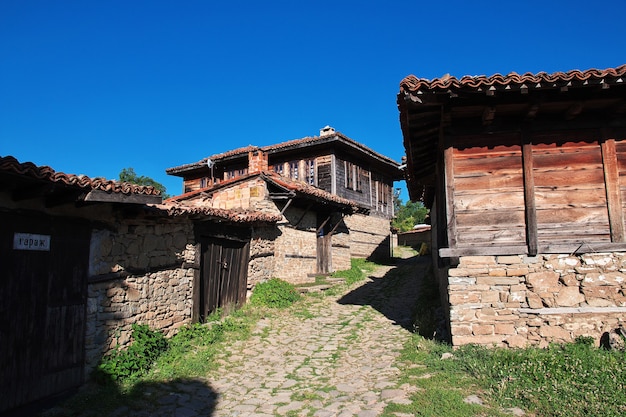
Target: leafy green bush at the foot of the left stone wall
(145, 348)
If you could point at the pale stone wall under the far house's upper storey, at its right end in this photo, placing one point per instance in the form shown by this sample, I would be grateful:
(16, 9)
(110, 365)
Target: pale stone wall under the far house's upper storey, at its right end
(370, 236)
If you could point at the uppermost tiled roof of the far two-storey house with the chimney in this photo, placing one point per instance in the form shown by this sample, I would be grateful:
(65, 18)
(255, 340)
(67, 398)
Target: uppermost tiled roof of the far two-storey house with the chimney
(310, 140)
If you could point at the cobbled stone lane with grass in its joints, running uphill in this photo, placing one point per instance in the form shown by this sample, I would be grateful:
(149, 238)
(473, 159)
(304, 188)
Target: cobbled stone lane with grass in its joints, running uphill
(334, 357)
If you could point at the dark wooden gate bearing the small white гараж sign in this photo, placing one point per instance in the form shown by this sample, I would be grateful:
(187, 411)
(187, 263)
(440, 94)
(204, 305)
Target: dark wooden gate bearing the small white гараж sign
(43, 264)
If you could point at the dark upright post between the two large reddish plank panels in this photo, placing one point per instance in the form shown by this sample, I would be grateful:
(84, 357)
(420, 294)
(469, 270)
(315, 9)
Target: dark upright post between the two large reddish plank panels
(530, 207)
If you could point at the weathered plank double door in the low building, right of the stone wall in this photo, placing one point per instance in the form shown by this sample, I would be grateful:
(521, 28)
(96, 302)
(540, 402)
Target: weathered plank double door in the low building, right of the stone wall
(223, 281)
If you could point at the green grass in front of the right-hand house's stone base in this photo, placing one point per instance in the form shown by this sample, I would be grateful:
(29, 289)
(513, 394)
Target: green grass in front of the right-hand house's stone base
(561, 380)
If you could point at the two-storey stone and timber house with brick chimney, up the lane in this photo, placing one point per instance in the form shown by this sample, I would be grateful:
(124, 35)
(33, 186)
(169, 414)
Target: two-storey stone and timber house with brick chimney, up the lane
(335, 196)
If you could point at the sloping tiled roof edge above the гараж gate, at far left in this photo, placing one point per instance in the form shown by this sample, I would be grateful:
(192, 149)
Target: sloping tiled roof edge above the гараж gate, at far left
(10, 165)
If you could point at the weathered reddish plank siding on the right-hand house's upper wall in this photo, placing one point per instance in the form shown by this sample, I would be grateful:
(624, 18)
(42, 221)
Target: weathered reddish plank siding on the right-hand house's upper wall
(488, 203)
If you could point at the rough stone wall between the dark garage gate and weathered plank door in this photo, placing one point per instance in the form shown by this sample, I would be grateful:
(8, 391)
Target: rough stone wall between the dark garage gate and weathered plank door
(139, 273)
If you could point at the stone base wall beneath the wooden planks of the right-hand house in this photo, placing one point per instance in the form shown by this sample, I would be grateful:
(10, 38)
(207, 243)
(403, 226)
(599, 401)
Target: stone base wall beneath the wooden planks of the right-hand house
(518, 300)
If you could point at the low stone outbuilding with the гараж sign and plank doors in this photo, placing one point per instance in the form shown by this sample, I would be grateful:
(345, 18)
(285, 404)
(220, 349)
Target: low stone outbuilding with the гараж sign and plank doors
(84, 258)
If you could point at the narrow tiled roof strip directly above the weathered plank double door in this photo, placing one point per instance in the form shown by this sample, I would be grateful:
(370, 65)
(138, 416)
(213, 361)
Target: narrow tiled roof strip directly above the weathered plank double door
(235, 216)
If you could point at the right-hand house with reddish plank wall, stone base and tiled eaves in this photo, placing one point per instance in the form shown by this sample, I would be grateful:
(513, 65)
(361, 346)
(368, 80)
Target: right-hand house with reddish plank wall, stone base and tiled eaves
(525, 179)
